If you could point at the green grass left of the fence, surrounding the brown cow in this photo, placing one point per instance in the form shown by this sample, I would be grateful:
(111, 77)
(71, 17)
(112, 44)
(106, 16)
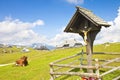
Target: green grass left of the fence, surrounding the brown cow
(38, 68)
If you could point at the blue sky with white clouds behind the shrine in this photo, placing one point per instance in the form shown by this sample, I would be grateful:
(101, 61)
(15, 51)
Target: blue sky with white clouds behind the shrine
(42, 21)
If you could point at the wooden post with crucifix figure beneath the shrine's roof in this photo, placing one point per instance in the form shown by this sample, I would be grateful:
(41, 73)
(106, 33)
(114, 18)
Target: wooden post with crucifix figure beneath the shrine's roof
(88, 34)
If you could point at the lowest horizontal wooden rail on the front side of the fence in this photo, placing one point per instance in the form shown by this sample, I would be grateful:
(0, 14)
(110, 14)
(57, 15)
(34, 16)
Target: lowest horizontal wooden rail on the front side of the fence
(75, 74)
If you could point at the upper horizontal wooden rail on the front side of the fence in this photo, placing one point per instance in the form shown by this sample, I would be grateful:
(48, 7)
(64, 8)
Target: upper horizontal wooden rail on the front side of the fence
(74, 66)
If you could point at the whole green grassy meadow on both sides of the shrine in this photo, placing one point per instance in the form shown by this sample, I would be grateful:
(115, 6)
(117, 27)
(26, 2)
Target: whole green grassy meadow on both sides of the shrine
(38, 68)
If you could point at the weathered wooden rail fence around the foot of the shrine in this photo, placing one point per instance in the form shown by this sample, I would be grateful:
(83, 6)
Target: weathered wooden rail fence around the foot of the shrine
(56, 66)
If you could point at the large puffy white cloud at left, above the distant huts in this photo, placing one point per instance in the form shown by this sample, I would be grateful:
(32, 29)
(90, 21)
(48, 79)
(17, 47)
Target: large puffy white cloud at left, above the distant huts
(18, 32)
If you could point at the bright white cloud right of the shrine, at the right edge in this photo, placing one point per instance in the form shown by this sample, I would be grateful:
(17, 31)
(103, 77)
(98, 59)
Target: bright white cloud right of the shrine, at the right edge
(112, 33)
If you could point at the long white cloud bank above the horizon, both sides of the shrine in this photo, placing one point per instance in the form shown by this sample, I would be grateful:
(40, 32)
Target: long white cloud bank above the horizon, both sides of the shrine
(15, 31)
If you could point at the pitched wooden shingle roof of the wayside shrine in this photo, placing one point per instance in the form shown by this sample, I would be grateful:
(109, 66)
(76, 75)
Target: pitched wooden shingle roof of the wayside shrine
(89, 15)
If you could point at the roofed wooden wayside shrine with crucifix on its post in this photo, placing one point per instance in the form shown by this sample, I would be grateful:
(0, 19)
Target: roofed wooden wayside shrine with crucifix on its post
(87, 25)
